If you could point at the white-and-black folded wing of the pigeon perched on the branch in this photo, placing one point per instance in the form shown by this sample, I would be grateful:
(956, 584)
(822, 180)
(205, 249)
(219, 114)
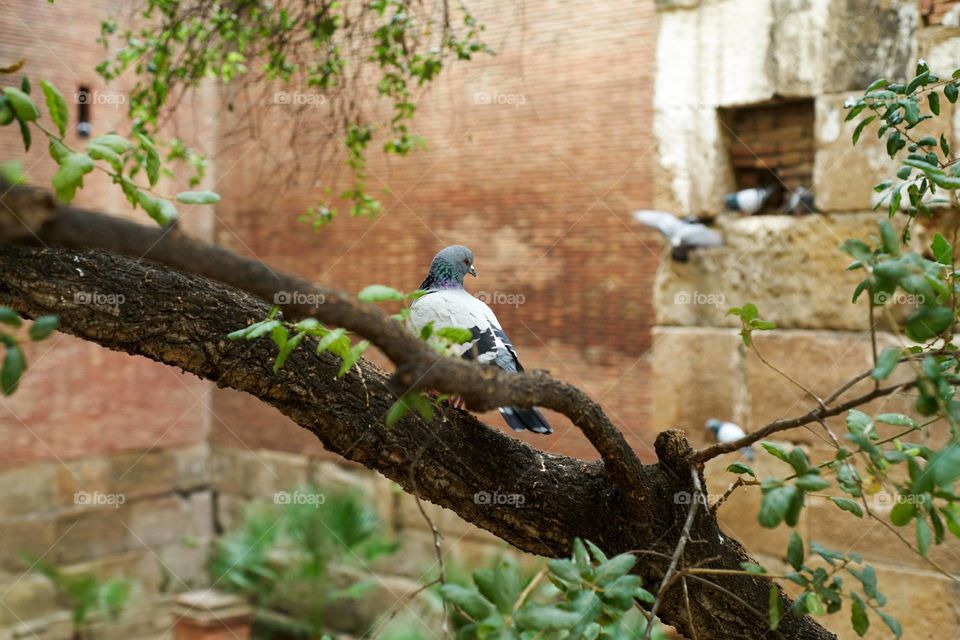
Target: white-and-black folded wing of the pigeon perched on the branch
(457, 308)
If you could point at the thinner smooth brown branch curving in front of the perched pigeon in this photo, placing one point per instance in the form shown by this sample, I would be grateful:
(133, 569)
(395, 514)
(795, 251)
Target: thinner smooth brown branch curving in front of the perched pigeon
(32, 216)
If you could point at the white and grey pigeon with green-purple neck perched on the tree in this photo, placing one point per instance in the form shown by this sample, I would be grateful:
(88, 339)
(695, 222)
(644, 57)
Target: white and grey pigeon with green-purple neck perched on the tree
(447, 304)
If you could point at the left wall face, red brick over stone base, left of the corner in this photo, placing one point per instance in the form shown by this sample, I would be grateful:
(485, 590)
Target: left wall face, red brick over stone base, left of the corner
(103, 462)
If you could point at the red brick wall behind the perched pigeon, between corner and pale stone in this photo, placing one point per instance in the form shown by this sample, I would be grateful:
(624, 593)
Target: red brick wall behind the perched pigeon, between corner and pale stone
(540, 189)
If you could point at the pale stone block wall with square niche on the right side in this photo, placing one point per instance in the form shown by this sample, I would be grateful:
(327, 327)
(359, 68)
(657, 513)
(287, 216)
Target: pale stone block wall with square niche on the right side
(763, 53)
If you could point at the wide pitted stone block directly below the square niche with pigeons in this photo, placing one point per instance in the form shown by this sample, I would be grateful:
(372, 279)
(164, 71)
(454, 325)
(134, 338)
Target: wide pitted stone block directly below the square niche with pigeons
(767, 260)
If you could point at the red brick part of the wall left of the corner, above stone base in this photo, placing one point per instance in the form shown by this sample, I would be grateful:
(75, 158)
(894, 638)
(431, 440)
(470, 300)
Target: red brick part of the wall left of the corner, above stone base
(77, 399)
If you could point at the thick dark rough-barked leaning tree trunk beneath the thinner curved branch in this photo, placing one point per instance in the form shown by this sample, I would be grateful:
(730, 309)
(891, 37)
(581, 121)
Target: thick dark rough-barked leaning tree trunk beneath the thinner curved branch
(182, 320)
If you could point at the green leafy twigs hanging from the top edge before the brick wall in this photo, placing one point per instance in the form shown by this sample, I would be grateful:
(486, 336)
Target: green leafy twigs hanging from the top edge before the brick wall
(320, 47)
